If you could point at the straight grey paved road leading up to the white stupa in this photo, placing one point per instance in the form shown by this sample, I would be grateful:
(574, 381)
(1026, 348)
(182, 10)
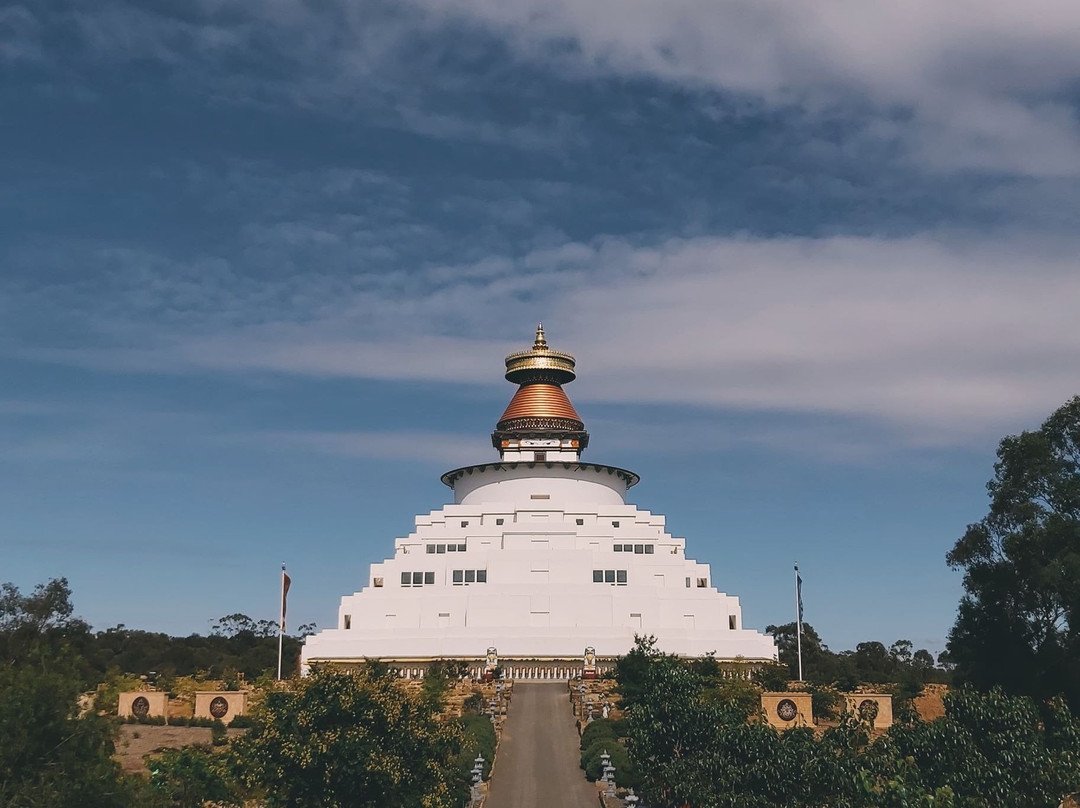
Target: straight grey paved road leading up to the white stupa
(539, 760)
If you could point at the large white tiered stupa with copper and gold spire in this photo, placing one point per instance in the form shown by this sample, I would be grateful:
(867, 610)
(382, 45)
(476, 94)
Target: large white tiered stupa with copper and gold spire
(539, 558)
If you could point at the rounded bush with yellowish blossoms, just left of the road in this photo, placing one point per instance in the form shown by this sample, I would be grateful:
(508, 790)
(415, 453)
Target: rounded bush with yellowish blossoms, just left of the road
(347, 740)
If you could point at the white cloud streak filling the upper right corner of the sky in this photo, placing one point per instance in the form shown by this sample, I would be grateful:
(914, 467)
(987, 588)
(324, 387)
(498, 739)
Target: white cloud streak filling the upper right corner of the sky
(970, 85)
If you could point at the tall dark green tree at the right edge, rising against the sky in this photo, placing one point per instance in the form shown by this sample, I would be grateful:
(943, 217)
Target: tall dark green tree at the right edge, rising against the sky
(1019, 623)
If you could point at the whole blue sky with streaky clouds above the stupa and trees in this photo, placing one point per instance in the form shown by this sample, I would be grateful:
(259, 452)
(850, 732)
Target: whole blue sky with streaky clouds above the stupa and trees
(262, 262)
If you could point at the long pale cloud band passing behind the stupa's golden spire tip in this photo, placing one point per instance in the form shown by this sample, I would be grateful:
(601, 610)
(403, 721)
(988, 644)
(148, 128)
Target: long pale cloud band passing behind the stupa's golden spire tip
(928, 333)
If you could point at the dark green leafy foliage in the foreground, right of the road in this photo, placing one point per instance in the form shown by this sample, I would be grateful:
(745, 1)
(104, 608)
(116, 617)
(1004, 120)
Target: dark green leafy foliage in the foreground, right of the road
(989, 751)
